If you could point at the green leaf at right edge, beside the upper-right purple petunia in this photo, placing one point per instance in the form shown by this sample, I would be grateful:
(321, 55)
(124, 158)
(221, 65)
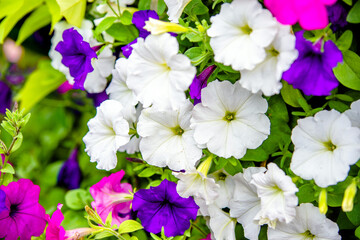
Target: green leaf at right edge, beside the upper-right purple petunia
(348, 73)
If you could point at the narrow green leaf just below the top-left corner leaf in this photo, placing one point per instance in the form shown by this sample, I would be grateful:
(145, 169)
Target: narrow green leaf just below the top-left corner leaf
(38, 19)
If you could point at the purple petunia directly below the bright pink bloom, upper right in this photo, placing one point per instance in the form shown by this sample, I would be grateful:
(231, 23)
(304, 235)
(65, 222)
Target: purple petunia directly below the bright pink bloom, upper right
(312, 70)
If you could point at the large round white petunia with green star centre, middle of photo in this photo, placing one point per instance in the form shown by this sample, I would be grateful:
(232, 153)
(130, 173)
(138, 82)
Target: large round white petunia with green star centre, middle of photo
(230, 119)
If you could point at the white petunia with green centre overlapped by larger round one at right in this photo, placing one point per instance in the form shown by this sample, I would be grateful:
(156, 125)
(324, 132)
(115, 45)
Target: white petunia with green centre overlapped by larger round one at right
(167, 139)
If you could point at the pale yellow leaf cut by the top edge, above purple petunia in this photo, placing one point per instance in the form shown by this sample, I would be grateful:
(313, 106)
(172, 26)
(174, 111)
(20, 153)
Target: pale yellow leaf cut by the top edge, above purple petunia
(73, 11)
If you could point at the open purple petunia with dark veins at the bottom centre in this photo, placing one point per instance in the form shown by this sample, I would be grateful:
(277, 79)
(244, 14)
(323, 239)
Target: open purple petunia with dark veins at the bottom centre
(162, 206)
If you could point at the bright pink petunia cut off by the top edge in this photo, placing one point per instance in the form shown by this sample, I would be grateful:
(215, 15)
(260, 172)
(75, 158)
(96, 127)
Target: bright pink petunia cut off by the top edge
(311, 14)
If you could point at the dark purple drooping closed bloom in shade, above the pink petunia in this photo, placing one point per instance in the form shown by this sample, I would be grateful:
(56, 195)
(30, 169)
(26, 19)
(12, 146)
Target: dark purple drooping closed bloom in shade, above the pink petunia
(70, 174)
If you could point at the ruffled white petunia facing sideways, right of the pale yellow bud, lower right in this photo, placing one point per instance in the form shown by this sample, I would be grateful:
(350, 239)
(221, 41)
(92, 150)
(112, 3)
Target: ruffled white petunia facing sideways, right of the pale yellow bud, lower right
(277, 193)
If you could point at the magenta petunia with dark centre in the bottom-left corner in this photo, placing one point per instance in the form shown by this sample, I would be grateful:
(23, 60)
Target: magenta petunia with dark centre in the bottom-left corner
(24, 216)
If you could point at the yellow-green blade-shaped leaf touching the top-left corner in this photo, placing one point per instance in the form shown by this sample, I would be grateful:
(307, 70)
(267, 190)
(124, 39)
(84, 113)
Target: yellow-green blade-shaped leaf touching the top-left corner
(9, 22)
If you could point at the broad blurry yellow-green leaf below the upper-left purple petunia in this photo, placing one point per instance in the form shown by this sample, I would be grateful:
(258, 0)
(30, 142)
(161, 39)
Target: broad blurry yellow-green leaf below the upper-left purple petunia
(39, 84)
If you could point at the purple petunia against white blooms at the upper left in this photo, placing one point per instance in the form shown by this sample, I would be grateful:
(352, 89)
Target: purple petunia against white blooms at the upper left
(77, 55)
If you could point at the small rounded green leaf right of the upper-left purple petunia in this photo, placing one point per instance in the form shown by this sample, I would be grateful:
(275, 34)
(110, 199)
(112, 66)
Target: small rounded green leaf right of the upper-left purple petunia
(123, 33)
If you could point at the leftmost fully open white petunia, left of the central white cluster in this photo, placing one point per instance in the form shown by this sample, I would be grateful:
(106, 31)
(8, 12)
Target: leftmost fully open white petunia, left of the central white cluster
(108, 130)
